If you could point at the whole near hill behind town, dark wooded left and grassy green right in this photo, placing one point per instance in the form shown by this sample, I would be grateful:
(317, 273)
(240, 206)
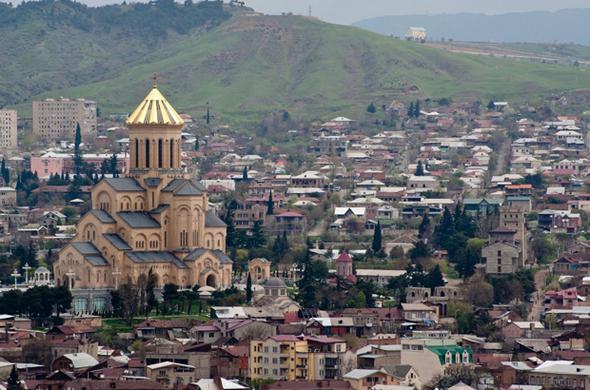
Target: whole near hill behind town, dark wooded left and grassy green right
(244, 66)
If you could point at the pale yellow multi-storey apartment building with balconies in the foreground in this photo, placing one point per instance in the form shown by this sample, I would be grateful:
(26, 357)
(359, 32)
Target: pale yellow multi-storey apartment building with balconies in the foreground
(287, 357)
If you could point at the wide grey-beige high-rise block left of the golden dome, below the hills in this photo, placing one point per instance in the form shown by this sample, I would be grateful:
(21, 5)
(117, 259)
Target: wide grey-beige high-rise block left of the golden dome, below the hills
(56, 119)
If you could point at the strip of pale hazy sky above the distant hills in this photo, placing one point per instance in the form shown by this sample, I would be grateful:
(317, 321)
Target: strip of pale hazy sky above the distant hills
(349, 11)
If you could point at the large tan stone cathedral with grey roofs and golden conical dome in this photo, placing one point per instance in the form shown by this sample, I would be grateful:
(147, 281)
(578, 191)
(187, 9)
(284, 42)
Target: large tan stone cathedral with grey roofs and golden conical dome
(156, 218)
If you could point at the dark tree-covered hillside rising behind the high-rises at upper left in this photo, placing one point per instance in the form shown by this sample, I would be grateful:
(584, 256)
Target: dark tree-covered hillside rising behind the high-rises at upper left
(50, 44)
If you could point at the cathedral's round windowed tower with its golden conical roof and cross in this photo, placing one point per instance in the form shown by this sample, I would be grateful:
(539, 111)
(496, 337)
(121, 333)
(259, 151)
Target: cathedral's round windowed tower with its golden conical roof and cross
(155, 141)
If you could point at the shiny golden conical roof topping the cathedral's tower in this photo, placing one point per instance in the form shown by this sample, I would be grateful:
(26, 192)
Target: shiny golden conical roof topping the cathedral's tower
(155, 110)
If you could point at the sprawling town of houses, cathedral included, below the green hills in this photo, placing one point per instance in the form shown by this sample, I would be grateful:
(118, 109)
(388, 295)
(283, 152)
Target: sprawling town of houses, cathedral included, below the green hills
(429, 244)
